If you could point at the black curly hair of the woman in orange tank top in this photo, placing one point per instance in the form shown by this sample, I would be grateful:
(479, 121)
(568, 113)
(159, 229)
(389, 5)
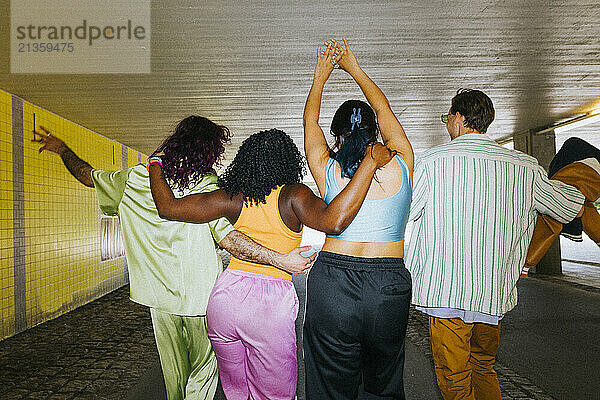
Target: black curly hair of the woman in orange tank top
(265, 160)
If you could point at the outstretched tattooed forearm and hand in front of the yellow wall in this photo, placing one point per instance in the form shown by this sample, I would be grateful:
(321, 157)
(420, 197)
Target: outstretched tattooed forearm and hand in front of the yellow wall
(81, 170)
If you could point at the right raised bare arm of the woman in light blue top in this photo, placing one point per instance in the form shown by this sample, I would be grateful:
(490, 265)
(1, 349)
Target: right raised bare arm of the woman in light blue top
(391, 130)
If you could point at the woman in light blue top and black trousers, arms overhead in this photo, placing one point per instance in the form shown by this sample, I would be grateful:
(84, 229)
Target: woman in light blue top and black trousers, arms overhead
(358, 291)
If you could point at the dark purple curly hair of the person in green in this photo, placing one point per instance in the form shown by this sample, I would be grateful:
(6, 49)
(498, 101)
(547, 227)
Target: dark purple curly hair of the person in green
(192, 151)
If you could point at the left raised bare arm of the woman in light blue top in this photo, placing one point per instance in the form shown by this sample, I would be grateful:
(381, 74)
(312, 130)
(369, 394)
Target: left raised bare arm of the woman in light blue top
(315, 144)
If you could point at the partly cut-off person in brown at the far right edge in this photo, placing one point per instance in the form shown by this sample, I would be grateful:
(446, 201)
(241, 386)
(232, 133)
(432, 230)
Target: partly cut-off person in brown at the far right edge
(577, 163)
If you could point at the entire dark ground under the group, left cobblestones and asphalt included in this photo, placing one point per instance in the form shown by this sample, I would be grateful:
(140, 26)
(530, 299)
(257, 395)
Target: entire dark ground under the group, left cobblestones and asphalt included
(549, 349)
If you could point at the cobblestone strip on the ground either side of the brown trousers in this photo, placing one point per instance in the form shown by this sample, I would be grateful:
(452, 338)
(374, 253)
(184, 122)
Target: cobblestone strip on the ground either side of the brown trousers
(512, 385)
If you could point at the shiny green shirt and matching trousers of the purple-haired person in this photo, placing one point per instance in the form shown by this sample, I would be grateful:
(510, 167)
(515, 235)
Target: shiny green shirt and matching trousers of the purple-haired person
(172, 269)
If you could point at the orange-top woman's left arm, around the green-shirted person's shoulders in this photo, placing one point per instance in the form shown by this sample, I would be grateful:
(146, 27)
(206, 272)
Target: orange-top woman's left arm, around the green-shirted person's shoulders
(199, 207)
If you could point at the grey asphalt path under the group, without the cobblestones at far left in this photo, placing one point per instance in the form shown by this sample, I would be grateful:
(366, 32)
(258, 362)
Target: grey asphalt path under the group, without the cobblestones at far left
(549, 347)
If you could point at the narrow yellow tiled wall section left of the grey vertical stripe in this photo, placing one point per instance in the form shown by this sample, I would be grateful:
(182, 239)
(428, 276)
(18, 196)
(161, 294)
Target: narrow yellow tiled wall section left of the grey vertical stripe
(7, 294)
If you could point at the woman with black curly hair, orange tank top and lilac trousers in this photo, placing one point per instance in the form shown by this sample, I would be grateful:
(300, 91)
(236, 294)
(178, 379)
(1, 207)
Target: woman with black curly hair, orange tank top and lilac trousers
(252, 308)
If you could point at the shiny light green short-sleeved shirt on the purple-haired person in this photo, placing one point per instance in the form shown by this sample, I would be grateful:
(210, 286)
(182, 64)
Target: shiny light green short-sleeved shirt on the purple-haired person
(172, 265)
